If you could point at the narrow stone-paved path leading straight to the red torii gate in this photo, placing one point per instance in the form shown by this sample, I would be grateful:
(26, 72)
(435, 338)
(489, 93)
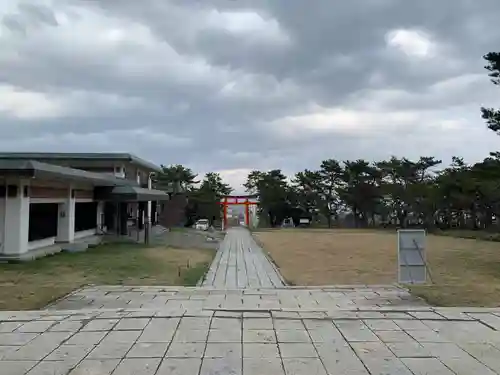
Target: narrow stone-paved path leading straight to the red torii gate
(241, 263)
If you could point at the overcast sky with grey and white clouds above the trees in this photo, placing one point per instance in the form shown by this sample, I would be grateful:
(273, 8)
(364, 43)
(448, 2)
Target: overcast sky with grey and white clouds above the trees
(232, 86)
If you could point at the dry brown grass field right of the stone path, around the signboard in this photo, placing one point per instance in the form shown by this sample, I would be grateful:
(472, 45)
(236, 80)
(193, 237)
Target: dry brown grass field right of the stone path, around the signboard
(464, 272)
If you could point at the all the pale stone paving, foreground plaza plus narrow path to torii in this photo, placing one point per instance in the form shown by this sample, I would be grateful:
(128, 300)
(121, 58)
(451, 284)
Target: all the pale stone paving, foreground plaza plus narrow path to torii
(248, 330)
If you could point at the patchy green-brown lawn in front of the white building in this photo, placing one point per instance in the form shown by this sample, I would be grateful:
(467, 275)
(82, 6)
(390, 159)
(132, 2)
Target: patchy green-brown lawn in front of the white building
(32, 285)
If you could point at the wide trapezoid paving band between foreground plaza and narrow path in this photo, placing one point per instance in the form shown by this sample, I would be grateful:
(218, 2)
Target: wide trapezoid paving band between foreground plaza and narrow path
(204, 298)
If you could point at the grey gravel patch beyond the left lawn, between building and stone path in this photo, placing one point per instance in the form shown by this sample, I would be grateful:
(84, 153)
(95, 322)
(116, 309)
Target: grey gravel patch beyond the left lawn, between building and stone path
(189, 238)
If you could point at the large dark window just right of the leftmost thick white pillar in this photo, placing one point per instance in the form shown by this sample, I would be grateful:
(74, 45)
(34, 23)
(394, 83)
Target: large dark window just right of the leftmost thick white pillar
(42, 221)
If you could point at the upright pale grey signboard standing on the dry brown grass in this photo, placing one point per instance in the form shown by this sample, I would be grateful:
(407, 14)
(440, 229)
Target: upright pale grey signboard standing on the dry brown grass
(412, 266)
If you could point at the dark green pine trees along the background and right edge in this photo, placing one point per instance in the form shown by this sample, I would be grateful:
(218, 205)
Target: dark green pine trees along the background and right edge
(393, 192)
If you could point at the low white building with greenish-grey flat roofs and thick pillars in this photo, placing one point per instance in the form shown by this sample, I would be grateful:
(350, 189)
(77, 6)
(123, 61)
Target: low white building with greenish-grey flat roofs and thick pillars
(50, 201)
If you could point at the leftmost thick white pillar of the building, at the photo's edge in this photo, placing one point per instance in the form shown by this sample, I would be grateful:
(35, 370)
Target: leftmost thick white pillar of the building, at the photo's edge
(17, 212)
